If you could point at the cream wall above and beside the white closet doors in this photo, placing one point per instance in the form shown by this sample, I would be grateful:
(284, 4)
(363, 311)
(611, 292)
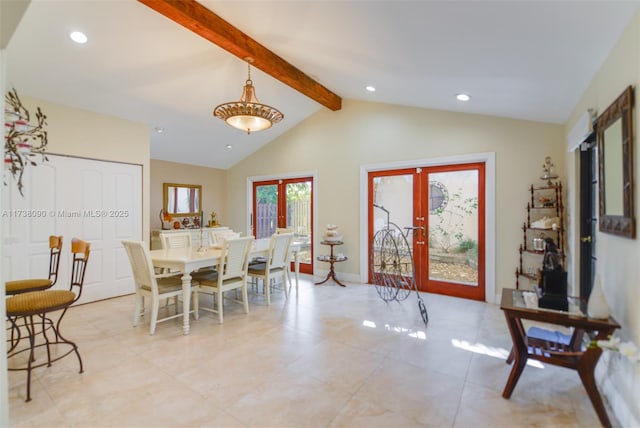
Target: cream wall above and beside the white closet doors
(82, 133)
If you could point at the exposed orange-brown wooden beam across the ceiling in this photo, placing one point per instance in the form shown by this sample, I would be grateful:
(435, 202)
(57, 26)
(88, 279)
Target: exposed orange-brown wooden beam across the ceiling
(207, 24)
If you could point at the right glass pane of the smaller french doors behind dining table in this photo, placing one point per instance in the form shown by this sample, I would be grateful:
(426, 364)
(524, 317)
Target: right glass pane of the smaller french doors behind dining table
(299, 216)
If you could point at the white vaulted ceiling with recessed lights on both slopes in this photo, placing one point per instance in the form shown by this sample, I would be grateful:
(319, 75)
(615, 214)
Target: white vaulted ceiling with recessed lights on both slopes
(520, 59)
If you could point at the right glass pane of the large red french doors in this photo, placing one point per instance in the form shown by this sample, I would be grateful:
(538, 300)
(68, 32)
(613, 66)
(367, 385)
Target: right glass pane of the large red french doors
(453, 227)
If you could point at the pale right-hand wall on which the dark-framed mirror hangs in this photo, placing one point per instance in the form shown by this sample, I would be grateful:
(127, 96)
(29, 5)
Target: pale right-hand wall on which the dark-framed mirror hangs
(617, 258)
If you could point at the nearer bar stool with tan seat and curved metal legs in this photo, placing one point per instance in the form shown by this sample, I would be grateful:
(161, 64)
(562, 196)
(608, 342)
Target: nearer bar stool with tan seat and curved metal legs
(43, 302)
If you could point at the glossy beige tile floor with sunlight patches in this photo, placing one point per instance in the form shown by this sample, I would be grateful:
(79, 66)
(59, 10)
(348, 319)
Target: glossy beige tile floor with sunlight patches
(327, 357)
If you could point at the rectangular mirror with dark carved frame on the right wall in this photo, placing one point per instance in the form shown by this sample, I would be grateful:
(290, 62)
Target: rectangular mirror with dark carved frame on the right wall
(615, 166)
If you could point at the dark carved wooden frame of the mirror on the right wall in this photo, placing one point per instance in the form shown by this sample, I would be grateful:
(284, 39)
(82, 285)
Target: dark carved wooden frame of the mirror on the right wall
(621, 108)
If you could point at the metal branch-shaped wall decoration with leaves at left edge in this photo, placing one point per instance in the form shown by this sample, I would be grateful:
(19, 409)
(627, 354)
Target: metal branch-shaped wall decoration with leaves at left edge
(23, 141)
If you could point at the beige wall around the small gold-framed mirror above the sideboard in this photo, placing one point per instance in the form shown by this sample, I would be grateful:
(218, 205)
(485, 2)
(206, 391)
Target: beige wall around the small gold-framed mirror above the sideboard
(213, 182)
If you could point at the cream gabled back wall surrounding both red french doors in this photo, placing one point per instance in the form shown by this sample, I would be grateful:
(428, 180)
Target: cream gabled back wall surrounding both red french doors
(337, 144)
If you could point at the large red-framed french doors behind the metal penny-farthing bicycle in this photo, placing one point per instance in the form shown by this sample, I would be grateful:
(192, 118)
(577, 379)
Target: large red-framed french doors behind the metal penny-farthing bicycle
(440, 210)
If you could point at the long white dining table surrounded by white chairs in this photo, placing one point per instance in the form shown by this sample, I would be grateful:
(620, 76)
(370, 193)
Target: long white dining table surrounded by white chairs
(187, 260)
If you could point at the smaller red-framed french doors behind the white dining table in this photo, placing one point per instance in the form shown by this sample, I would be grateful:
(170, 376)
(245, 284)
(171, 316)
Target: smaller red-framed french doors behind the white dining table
(286, 203)
